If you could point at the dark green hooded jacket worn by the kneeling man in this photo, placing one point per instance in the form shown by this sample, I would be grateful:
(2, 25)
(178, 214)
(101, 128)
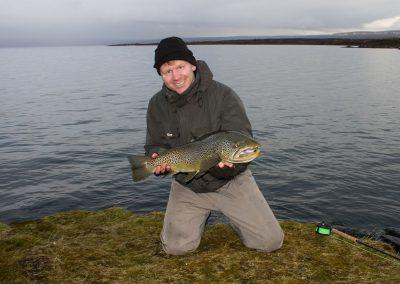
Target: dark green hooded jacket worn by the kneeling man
(207, 106)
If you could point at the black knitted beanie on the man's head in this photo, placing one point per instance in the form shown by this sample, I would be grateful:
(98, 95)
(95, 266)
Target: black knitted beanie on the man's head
(172, 48)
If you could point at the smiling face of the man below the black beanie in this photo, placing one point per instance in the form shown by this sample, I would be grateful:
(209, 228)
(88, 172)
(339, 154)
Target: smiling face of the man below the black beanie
(177, 75)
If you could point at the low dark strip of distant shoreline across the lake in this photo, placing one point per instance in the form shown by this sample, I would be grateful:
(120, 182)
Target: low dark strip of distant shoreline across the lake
(350, 43)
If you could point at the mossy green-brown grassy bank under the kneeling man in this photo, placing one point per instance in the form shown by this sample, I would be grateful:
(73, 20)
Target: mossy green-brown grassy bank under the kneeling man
(115, 245)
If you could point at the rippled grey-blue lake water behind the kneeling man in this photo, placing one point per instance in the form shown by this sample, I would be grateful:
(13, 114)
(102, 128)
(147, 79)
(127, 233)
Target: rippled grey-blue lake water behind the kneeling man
(328, 119)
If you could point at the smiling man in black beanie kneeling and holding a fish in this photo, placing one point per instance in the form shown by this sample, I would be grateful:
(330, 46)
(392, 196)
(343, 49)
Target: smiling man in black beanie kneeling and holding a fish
(190, 105)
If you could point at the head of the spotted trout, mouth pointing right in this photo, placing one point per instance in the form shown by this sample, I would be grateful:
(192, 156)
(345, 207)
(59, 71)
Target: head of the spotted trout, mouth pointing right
(240, 148)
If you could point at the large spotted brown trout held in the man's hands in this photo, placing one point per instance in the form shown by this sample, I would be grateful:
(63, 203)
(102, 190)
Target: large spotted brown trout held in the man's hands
(196, 157)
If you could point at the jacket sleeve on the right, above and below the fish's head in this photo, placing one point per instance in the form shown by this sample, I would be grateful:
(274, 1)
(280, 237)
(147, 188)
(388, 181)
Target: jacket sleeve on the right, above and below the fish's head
(233, 117)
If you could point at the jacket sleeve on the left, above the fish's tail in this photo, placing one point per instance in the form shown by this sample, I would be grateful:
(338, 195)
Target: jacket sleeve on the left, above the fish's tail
(153, 143)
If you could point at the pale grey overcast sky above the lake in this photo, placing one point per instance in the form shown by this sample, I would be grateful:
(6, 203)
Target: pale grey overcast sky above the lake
(48, 22)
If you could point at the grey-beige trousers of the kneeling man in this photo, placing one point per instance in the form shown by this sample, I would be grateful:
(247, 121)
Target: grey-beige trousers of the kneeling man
(240, 200)
